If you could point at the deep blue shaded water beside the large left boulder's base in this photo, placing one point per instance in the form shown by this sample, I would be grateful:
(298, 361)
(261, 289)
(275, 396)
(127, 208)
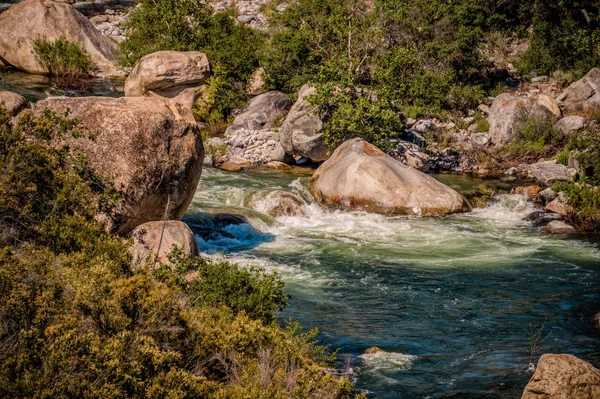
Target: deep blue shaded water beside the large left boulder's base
(225, 232)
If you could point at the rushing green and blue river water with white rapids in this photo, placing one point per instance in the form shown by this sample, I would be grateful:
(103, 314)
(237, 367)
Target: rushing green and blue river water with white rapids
(453, 301)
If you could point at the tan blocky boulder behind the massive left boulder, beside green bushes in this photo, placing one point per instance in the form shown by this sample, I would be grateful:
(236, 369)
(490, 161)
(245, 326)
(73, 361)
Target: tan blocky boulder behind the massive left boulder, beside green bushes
(167, 73)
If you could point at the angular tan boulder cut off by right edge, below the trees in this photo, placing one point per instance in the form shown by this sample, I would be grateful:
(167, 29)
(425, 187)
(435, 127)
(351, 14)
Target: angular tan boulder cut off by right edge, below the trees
(583, 94)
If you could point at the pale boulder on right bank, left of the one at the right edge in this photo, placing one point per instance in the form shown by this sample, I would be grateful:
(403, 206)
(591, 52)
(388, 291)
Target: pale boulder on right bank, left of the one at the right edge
(508, 111)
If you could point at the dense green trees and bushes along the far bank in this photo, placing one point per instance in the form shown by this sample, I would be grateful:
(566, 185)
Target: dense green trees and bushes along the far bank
(372, 61)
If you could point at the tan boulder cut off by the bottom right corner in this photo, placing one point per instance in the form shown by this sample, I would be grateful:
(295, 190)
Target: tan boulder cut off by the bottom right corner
(563, 377)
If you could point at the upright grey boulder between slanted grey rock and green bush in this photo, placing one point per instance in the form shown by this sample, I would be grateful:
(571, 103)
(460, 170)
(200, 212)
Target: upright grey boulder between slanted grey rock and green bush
(302, 131)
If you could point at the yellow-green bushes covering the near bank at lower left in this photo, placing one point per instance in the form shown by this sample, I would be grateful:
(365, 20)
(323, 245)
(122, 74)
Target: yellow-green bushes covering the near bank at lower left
(77, 322)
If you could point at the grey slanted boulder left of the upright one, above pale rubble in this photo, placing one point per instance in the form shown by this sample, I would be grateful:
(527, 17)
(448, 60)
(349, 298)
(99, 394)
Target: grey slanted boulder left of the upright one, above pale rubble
(263, 112)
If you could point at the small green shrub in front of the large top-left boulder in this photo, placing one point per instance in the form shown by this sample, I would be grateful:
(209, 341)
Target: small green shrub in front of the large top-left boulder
(67, 63)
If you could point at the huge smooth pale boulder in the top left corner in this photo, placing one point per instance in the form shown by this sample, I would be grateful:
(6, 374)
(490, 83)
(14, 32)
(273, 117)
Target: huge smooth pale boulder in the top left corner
(29, 20)
